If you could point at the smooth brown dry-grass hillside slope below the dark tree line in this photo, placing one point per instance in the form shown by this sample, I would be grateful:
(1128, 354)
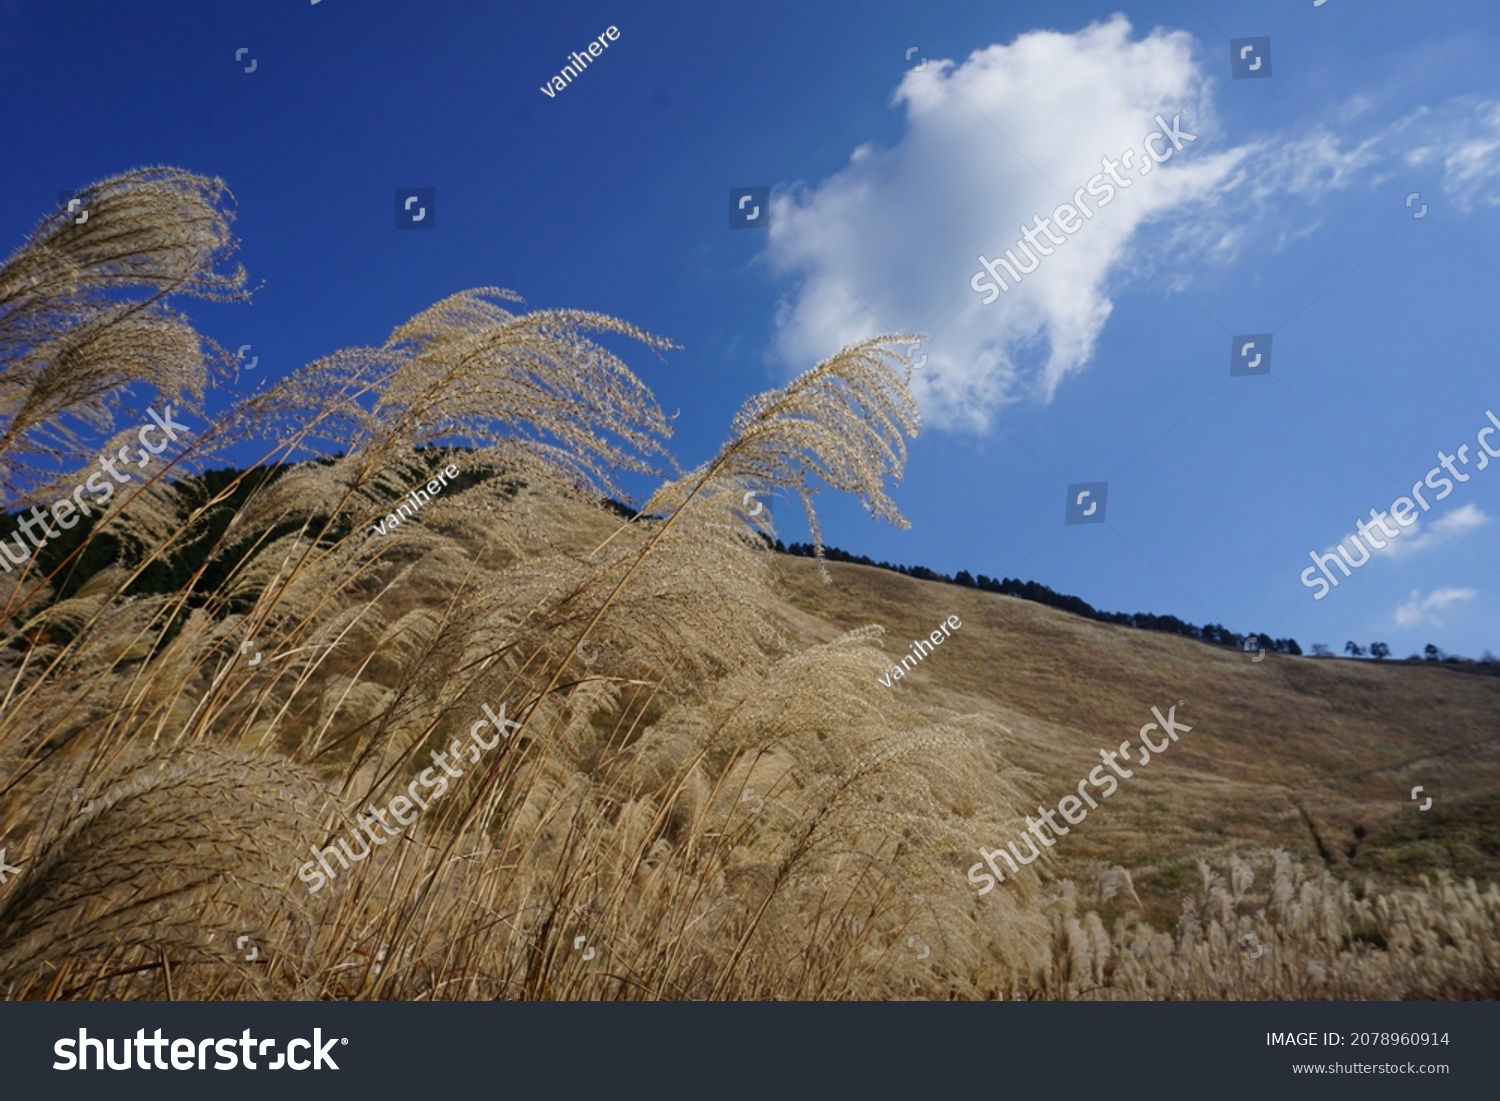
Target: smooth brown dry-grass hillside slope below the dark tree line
(1316, 757)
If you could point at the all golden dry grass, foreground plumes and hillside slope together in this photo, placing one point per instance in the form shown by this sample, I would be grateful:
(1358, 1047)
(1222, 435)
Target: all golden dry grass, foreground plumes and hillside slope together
(710, 794)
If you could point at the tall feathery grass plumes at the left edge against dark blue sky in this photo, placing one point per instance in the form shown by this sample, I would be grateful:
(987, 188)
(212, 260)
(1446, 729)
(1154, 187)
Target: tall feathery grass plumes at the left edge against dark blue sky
(68, 340)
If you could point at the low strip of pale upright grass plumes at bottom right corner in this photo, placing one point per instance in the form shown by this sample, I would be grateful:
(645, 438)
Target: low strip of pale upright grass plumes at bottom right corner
(1303, 937)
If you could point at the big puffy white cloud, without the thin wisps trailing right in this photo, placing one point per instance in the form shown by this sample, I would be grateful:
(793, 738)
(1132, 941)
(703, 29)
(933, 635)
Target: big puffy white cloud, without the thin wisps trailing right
(890, 242)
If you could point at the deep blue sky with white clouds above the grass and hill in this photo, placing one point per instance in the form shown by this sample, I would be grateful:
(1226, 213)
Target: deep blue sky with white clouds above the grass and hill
(1286, 215)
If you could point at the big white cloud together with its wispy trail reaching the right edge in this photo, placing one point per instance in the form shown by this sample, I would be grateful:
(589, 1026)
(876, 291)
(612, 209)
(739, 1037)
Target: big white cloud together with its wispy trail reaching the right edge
(890, 242)
